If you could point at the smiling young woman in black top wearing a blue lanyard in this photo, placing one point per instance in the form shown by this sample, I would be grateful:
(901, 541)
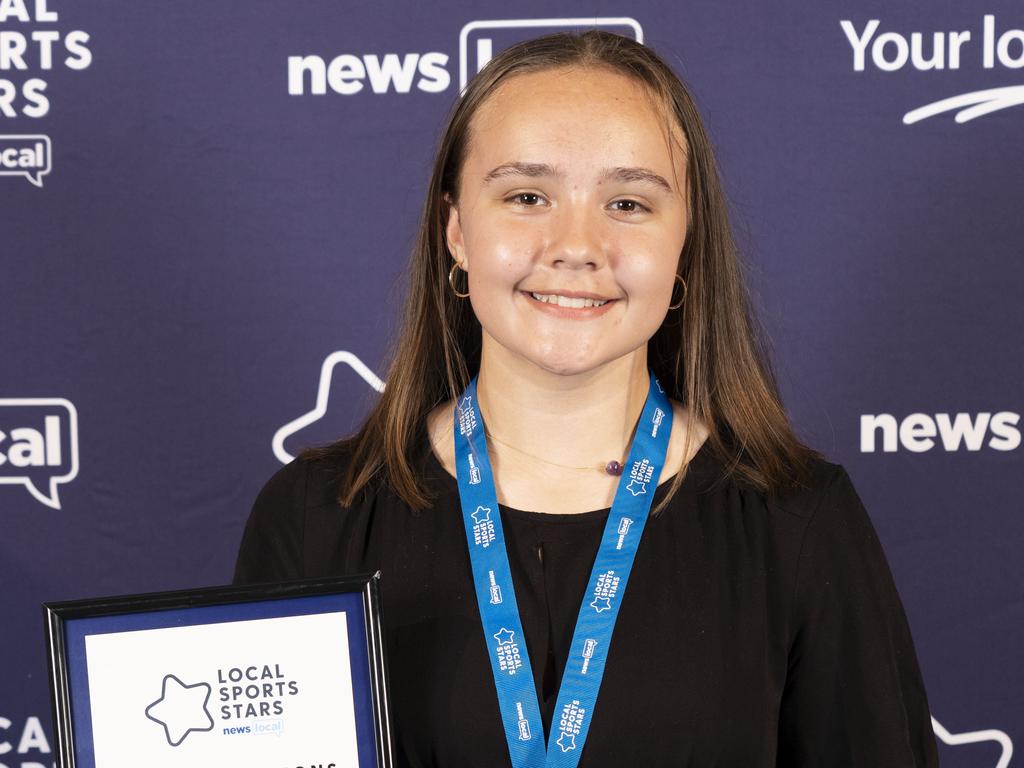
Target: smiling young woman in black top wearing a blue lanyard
(601, 542)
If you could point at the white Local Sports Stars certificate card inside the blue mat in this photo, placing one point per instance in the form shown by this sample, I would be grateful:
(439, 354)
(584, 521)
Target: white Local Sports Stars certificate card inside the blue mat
(267, 693)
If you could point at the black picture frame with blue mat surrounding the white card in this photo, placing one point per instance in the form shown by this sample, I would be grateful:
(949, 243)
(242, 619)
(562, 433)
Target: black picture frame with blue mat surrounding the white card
(68, 623)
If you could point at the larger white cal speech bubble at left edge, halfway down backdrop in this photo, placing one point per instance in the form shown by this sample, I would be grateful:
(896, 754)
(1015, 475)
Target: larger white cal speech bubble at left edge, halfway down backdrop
(38, 446)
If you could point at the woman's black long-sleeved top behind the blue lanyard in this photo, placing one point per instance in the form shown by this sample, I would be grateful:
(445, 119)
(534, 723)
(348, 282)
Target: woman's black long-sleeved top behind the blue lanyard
(753, 633)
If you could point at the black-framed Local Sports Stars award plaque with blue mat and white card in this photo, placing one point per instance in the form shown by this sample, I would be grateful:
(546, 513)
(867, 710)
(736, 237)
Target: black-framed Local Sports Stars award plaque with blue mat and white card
(269, 676)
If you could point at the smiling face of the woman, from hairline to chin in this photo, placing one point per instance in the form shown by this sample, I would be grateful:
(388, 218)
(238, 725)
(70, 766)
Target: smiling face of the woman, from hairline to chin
(571, 190)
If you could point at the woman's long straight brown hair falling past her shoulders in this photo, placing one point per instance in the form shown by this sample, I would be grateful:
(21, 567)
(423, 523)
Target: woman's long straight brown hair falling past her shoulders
(707, 355)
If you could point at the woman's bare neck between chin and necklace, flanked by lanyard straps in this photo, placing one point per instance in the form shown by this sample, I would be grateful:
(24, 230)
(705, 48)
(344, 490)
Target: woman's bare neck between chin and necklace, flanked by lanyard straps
(579, 420)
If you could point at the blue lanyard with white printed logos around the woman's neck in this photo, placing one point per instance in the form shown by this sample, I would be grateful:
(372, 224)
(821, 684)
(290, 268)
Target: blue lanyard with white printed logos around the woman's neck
(496, 596)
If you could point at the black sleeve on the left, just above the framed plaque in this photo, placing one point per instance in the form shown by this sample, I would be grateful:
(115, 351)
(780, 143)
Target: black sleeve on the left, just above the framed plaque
(273, 542)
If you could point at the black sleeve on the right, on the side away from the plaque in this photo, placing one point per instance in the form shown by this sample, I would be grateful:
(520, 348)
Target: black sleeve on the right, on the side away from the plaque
(855, 695)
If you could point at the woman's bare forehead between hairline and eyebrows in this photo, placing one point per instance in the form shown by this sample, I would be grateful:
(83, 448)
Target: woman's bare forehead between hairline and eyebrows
(582, 116)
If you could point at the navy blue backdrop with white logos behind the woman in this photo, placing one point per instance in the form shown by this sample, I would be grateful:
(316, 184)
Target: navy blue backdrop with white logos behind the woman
(206, 208)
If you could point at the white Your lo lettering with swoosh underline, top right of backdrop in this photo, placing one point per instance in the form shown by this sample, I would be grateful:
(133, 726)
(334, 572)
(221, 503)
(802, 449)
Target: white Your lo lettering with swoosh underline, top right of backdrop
(992, 46)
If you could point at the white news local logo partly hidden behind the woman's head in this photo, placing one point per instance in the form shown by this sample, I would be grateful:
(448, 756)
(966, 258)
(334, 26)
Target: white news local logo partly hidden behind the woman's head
(349, 74)
